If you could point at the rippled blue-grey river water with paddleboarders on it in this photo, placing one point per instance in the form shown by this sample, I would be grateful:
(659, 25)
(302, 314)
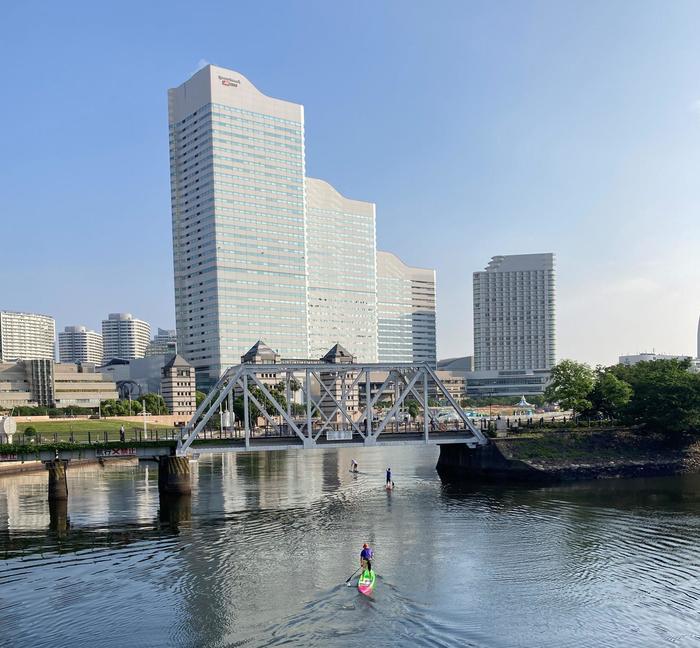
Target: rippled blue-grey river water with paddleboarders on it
(260, 554)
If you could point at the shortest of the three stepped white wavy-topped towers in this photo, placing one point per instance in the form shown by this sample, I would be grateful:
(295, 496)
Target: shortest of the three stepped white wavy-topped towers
(406, 311)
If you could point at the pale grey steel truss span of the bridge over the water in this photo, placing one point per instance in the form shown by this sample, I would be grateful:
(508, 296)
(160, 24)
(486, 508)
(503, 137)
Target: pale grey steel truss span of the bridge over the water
(340, 406)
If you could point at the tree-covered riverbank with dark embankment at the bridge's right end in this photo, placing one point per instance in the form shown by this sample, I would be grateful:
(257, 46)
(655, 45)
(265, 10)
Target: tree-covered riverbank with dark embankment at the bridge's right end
(655, 407)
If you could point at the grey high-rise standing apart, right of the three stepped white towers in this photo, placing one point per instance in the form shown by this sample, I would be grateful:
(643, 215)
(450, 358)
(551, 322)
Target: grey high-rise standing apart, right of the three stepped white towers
(514, 313)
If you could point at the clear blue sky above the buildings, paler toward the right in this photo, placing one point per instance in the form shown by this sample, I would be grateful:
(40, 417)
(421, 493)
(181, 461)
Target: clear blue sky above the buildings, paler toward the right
(478, 128)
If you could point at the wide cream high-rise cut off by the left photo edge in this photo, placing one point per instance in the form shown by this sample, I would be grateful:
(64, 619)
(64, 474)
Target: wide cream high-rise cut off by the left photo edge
(26, 336)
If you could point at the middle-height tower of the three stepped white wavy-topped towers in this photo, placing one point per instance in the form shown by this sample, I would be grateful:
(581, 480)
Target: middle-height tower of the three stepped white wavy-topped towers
(342, 294)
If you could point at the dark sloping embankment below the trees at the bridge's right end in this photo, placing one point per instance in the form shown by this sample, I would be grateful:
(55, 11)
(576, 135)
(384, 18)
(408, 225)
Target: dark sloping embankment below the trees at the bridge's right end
(571, 455)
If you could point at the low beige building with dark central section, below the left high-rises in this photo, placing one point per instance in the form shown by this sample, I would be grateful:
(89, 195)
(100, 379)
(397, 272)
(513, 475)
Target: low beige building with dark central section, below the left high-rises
(51, 384)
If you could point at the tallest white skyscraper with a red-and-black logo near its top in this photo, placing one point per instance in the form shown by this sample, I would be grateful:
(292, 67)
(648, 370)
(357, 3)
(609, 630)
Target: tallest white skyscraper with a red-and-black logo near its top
(239, 239)
